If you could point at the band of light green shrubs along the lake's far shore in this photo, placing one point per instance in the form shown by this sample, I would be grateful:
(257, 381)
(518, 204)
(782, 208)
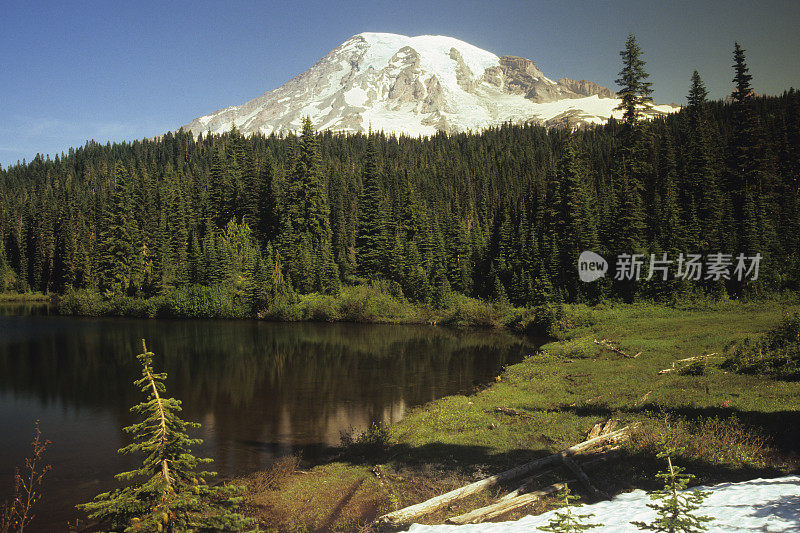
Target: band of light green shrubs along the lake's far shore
(372, 302)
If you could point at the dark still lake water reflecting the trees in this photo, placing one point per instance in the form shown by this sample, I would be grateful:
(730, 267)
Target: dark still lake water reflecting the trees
(260, 390)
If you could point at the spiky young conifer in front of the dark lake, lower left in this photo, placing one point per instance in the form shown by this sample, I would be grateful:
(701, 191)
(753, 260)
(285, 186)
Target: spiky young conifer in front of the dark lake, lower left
(174, 496)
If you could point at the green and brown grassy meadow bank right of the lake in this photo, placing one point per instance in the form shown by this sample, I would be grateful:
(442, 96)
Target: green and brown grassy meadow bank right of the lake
(607, 364)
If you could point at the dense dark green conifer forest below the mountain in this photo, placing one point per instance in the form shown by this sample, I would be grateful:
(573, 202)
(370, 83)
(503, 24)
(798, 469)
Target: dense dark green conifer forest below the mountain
(499, 215)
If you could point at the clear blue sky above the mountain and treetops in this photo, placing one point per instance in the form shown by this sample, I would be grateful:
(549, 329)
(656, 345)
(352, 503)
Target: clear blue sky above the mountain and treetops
(114, 70)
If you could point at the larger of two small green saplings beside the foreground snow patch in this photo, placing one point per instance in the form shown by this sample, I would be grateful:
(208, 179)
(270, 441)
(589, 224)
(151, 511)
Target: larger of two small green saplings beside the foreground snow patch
(676, 510)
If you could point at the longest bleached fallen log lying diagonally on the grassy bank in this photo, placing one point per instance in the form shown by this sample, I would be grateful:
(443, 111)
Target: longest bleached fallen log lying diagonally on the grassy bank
(407, 514)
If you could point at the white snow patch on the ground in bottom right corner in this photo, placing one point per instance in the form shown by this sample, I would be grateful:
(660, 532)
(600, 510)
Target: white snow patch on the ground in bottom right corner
(766, 505)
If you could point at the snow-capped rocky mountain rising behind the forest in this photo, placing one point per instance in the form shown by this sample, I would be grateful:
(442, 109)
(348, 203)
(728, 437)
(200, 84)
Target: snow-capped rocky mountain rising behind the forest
(417, 86)
